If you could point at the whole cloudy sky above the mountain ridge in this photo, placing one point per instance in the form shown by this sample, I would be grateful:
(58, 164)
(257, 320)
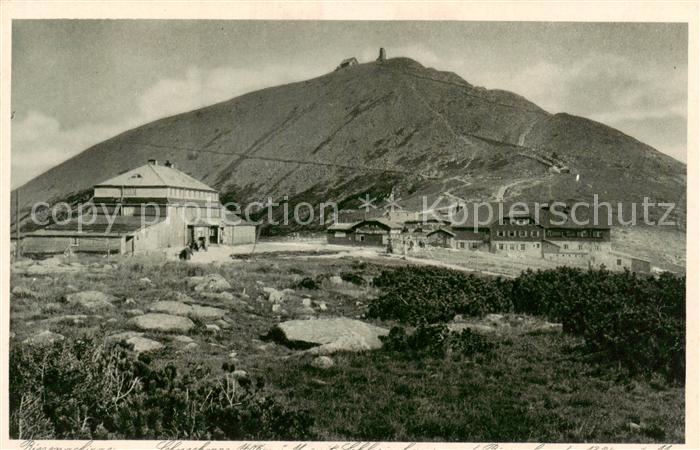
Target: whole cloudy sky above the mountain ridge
(76, 83)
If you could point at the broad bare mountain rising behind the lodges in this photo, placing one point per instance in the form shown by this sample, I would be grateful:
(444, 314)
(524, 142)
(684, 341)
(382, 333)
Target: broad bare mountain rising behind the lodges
(381, 127)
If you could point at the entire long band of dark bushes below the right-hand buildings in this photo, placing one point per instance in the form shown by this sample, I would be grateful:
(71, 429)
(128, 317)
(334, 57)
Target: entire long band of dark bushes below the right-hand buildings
(636, 320)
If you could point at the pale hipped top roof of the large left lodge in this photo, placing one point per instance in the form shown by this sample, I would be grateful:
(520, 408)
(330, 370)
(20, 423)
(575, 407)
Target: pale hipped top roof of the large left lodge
(155, 175)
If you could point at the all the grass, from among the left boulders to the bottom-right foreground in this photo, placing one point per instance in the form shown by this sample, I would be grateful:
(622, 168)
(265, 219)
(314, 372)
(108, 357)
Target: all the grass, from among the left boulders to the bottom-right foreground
(531, 387)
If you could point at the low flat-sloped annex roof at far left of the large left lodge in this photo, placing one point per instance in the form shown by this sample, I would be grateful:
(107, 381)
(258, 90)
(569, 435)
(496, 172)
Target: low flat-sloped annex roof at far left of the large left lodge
(101, 225)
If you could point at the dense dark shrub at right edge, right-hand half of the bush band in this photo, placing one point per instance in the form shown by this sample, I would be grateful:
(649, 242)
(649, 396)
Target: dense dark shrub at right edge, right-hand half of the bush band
(636, 320)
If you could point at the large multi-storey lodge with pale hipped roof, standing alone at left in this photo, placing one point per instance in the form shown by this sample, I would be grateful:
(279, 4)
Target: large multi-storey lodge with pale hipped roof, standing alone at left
(147, 208)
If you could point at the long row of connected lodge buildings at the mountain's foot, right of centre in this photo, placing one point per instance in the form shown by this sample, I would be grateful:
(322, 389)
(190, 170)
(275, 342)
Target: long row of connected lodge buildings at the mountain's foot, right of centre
(532, 231)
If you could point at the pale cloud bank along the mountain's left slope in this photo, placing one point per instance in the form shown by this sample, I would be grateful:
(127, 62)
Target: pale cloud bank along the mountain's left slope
(43, 143)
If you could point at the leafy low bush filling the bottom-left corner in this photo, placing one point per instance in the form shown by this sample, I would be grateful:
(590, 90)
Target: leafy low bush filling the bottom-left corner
(80, 389)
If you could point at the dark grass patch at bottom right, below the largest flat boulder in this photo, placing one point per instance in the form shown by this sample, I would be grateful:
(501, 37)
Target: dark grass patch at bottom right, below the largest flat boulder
(536, 388)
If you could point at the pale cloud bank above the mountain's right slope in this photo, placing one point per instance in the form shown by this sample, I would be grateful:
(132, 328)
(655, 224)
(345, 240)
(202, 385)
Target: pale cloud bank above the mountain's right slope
(612, 90)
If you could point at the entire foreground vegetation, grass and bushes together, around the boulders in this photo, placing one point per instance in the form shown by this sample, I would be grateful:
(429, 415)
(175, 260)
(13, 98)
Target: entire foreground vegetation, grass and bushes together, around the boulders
(425, 384)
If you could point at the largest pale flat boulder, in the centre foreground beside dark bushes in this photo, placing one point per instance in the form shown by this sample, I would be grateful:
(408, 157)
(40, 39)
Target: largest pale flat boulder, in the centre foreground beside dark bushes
(330, 335)
